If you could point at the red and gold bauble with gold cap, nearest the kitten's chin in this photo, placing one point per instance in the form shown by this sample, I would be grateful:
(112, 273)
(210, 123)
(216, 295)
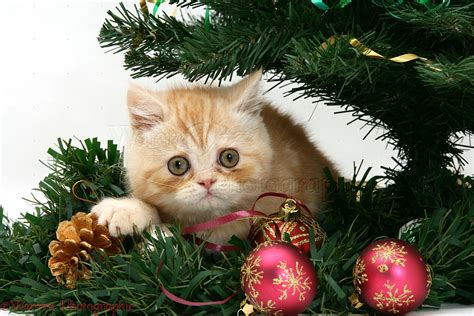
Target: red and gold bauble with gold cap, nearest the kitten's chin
(290, 220)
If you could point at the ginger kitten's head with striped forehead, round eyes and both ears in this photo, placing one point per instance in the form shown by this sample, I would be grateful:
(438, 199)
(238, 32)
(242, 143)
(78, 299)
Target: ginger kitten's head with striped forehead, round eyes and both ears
(198, 153)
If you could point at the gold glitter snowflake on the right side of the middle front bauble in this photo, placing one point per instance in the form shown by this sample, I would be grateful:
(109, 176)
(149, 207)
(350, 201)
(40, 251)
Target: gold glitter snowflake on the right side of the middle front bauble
(293, 281)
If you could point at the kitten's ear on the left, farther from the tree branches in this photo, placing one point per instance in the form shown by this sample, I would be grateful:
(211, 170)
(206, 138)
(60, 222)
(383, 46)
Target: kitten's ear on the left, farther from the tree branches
(144, 107)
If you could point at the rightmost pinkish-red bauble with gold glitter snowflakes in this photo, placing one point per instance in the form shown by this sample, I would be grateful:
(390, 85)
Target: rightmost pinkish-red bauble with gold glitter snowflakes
(391, 276)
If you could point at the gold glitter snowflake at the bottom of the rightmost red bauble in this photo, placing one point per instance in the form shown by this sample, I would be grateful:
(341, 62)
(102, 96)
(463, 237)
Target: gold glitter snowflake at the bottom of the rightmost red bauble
(392, 298)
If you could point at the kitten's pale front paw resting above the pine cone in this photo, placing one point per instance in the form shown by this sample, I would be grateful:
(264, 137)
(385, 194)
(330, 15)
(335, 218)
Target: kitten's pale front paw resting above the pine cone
(121, 215)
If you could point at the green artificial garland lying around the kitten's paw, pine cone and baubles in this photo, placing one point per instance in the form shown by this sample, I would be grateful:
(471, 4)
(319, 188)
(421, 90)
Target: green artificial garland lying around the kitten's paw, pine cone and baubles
(359, 212)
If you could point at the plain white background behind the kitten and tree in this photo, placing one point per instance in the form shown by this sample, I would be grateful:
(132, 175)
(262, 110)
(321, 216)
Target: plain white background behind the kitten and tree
(57, 82)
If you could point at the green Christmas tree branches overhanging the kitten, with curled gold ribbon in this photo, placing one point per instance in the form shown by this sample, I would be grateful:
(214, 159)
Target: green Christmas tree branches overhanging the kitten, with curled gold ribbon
(341, 52)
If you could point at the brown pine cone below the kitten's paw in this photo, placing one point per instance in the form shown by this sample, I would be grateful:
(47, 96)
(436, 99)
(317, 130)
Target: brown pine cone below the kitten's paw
(77, 238)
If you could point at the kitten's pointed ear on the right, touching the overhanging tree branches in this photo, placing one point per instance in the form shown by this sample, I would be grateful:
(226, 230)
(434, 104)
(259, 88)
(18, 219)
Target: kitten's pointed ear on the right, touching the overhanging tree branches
(245, 94)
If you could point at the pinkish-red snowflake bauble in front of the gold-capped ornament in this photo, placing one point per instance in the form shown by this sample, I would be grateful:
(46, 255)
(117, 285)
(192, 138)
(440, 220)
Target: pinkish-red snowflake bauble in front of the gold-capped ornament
(277, 278)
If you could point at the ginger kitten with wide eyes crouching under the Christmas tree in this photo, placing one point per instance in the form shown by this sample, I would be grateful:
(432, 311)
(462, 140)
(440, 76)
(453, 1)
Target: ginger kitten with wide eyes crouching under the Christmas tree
(199, 153)
